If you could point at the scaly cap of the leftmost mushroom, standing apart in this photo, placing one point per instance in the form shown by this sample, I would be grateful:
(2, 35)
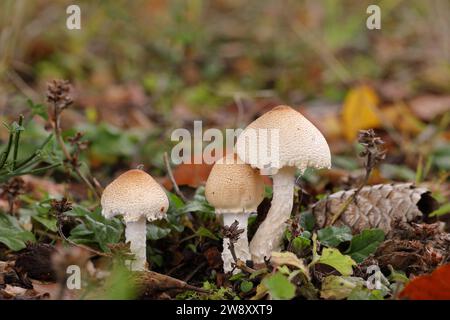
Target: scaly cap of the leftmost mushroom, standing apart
(134, 194)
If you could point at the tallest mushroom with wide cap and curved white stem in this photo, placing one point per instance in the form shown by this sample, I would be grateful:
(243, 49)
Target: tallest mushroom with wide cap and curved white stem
(294, 143)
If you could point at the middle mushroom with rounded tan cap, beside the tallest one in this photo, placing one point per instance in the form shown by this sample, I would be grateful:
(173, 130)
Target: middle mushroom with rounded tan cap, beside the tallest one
(235, 190)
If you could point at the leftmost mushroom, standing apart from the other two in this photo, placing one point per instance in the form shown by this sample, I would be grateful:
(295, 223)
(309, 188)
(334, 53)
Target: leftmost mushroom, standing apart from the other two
(136, 196)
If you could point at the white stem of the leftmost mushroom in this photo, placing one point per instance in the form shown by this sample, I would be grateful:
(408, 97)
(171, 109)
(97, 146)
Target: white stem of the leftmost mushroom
(136, 234)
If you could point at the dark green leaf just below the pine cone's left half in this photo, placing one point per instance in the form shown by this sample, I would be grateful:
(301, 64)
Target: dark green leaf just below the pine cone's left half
(364, 244)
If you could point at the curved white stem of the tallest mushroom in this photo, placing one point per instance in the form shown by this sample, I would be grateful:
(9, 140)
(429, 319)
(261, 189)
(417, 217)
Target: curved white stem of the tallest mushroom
(269, 235)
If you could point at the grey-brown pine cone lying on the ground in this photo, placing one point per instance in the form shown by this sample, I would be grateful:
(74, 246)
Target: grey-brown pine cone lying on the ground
(375, 206)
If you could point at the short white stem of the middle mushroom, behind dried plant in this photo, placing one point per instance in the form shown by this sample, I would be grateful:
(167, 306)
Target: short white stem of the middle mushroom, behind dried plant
(241, 246)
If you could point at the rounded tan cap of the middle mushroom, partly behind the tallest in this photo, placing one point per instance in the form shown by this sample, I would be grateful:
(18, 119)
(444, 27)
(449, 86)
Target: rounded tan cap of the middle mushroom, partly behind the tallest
(233, 186)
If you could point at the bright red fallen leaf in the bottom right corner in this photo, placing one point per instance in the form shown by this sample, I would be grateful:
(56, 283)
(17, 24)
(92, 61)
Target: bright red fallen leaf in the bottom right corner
(434, 286)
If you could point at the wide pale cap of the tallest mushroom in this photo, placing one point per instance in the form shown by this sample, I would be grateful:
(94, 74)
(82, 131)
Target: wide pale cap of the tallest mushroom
(300, 143)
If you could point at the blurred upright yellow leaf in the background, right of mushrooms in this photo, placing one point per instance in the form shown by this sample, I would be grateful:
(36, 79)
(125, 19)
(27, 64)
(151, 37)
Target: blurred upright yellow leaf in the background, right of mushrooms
(359, 111)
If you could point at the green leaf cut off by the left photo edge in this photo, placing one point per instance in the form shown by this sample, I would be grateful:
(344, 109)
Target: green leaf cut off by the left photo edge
(12, 235)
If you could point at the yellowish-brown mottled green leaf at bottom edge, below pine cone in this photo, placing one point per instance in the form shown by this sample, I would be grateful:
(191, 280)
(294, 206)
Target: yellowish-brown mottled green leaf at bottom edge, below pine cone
(338, 287)
